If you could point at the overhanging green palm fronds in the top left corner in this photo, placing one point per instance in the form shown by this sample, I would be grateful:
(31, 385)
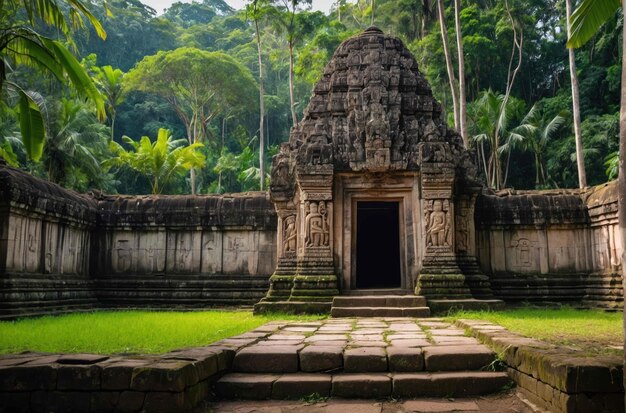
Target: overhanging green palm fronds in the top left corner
(21, 44)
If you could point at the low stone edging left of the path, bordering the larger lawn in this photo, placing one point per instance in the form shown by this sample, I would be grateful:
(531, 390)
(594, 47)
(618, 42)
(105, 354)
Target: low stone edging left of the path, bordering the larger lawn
(173, 382)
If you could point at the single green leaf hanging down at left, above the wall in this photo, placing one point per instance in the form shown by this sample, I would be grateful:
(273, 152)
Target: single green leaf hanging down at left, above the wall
(31, 126)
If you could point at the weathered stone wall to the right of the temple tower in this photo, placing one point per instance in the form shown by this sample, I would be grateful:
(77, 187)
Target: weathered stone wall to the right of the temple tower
(551, 245)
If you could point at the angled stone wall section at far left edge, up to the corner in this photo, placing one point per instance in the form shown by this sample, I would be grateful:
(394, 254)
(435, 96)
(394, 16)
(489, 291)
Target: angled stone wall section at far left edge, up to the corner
(45, 237)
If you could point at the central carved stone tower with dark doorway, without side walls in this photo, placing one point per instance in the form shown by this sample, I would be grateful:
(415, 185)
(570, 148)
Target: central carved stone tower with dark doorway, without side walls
(373, 191)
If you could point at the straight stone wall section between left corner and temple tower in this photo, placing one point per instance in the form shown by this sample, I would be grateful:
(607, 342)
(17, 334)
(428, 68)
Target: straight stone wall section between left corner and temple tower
(184, 250)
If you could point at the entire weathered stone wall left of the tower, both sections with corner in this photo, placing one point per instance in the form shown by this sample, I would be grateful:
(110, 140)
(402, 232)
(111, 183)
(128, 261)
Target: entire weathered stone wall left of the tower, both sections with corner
(61, 251)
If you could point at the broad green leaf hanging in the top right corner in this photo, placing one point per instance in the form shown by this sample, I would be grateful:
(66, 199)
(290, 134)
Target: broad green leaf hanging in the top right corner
(587, 19)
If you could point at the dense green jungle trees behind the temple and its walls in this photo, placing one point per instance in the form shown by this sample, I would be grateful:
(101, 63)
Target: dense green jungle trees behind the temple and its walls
(514, 60)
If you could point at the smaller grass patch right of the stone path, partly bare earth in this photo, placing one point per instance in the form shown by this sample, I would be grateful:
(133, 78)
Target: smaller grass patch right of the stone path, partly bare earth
(591, 331)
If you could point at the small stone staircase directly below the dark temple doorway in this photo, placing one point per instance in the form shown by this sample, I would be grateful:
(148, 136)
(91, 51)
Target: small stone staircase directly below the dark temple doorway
(380, 306)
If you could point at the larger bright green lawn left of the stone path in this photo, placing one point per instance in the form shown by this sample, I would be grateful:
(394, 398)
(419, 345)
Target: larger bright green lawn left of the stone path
(130, 332)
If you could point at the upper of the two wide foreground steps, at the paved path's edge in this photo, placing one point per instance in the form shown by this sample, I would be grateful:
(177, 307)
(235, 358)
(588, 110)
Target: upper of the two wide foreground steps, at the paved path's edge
(333, 356)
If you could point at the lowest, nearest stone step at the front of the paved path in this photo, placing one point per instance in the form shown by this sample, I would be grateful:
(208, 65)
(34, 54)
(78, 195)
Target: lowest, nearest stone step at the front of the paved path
(360, 385)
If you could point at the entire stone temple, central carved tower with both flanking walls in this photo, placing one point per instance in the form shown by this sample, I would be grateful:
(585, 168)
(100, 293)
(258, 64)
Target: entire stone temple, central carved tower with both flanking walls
(372, 195)
